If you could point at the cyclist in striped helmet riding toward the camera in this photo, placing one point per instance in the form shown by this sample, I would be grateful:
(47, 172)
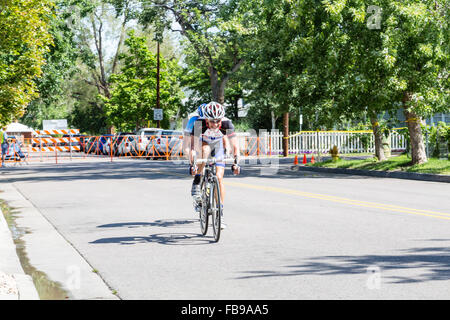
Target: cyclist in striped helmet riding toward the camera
(213, 132)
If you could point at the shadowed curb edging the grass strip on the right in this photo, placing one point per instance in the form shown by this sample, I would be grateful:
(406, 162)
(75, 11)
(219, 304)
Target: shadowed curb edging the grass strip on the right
(381, 174)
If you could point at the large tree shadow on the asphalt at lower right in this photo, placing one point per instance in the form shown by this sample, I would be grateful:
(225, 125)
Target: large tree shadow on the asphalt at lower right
(433, 263)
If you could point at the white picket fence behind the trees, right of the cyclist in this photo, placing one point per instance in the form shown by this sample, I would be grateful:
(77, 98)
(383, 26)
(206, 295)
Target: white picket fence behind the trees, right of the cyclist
(271, 143)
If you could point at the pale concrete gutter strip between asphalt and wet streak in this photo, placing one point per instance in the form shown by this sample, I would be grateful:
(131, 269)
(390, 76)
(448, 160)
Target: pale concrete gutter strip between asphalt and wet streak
(52, 254)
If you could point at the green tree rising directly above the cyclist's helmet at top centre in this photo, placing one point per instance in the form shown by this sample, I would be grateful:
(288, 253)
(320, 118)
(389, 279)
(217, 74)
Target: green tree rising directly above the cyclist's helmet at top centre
(216, 33)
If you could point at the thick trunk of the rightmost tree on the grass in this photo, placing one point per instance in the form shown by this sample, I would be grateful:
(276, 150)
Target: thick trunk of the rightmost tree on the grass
(418, 153)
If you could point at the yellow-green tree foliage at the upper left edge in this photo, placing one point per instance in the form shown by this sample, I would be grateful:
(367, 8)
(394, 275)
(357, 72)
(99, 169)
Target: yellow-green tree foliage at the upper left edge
(24, 41)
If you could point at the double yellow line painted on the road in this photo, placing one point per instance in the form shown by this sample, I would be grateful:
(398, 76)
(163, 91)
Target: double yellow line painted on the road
(387, 207)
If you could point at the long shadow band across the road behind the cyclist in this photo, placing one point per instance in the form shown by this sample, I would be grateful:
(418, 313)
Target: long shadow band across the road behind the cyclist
(151, 170)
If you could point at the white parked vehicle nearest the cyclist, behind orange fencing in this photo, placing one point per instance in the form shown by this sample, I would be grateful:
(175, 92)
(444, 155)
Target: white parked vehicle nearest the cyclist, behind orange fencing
(169, 143)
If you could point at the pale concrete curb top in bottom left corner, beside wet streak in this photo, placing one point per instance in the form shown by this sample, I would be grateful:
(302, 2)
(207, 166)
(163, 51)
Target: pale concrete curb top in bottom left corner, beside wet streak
(14, 283)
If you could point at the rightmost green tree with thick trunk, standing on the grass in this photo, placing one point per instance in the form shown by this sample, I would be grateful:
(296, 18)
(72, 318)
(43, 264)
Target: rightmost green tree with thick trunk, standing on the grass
(419, 39)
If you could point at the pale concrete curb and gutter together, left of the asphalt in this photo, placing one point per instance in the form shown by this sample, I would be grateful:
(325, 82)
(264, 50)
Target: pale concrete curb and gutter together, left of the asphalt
(48, 253)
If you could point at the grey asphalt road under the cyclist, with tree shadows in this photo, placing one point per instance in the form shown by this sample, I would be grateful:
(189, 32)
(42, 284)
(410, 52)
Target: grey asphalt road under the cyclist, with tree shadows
(290, 235)
